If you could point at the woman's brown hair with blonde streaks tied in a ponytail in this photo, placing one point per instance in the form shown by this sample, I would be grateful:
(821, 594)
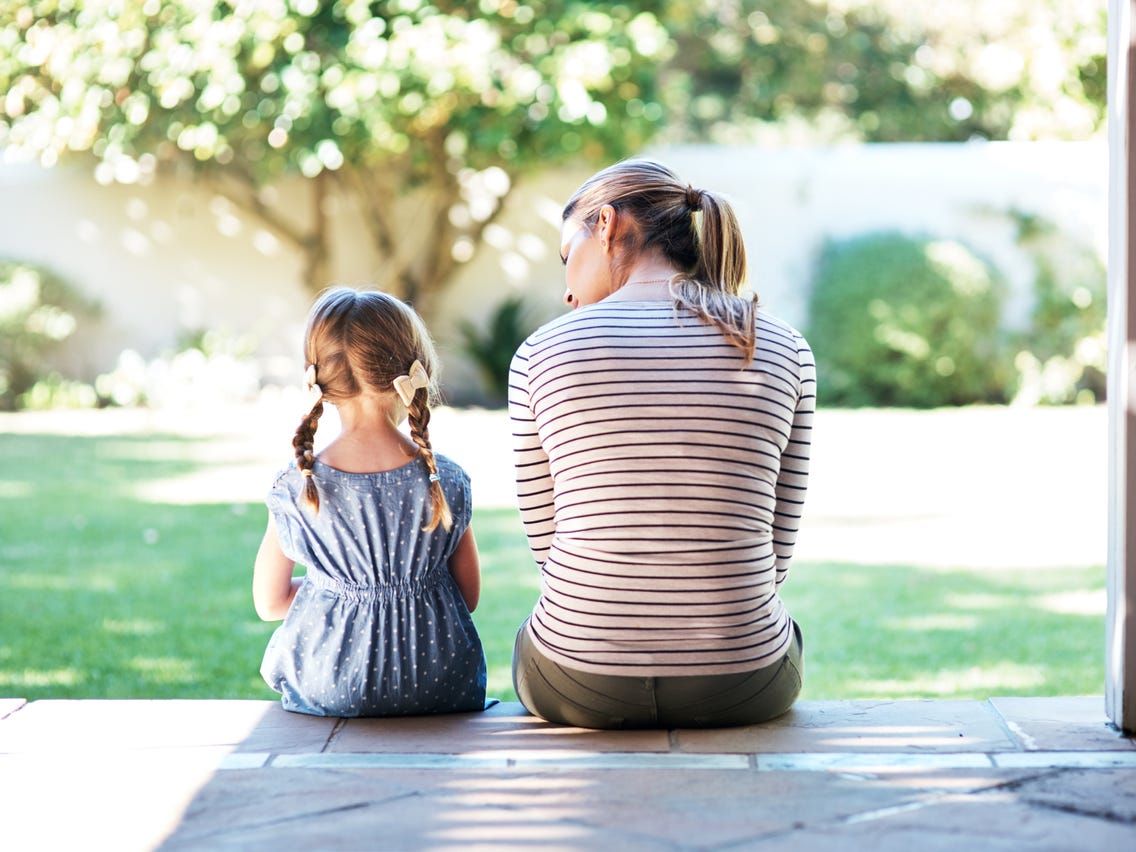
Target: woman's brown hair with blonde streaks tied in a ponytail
(696, 230)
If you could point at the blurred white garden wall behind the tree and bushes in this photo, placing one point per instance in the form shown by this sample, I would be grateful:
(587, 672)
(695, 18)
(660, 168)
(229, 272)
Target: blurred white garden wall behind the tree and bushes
(171, 257)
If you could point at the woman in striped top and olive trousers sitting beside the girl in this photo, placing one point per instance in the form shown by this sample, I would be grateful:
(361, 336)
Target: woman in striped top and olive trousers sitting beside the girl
(662, 435)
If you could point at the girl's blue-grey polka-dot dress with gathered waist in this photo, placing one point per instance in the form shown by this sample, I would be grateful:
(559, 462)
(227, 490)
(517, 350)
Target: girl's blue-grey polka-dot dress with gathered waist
(379, 627)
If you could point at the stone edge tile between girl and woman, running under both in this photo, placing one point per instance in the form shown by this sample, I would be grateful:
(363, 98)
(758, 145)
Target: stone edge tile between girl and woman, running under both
(502, 728)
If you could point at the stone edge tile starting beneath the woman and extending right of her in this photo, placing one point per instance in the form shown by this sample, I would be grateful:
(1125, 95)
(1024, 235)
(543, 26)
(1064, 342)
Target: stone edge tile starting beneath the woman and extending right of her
(863, 726)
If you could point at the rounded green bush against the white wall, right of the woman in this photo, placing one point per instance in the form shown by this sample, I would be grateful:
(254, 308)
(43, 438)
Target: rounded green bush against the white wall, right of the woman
(899, 321)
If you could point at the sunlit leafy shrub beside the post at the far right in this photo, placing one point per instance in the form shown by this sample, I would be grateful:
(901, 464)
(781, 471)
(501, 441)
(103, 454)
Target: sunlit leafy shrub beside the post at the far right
(1063, 354)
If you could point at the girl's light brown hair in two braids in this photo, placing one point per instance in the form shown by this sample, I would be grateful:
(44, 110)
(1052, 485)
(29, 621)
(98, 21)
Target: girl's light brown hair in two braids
(361, 341)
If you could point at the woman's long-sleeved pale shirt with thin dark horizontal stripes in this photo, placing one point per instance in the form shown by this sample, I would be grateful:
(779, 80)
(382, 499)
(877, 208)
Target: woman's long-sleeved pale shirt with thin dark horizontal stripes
(661, 483)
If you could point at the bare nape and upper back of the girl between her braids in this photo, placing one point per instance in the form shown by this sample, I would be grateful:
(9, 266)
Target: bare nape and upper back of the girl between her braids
(371, 440)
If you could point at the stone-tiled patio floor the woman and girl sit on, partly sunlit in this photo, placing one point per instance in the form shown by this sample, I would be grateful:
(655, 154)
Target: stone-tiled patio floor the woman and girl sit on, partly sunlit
(1006, 774)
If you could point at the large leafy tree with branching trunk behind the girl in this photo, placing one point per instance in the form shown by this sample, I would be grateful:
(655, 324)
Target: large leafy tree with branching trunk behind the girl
(440, 103)
